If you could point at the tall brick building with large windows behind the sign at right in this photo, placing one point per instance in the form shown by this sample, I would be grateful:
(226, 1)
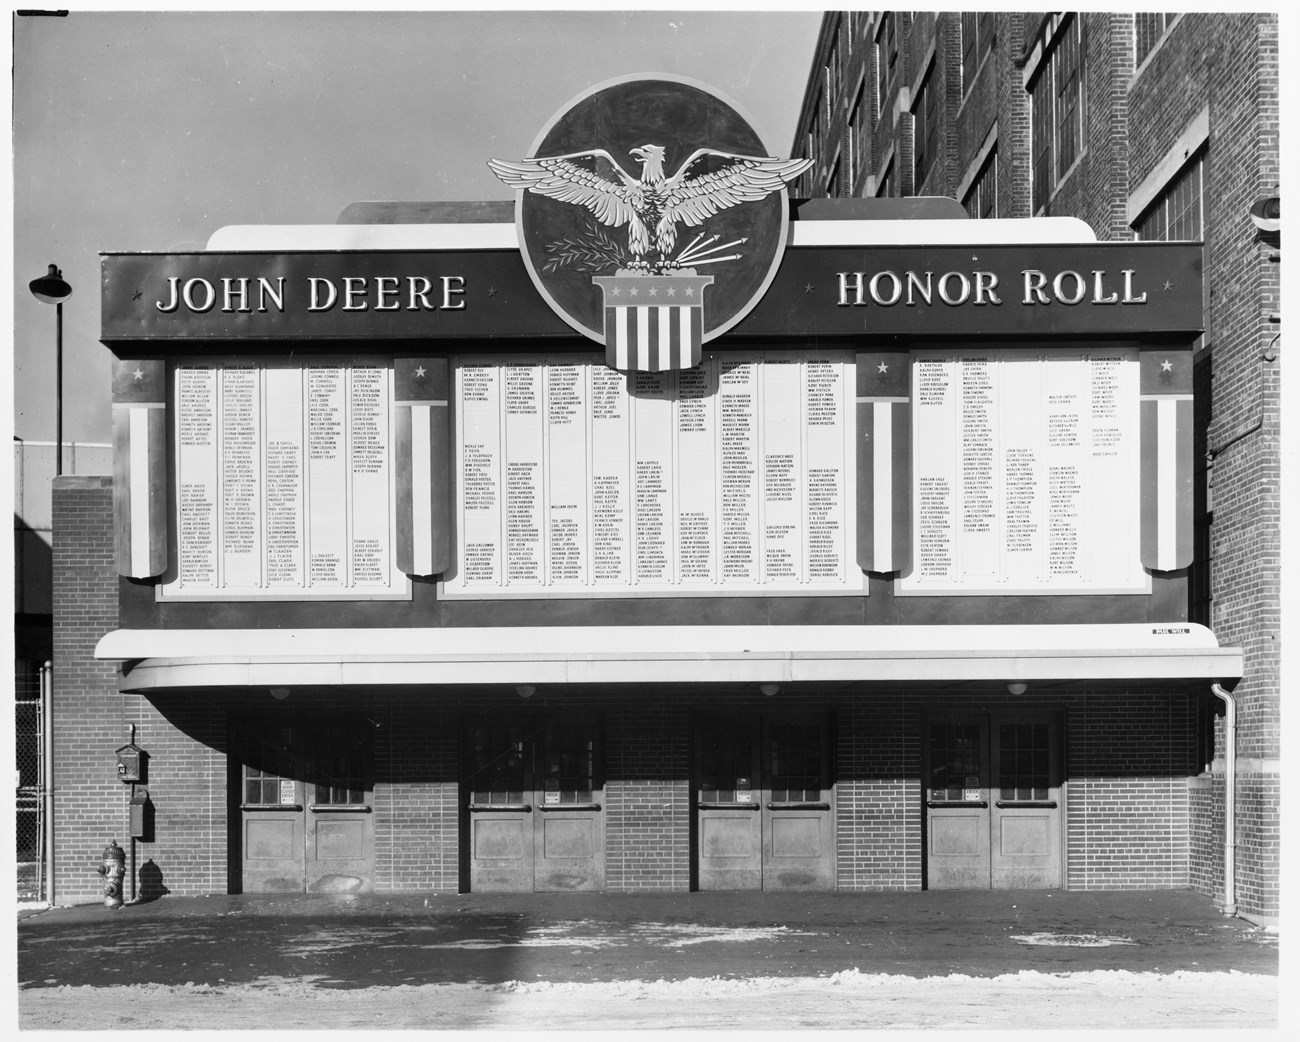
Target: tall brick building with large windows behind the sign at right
(1145, 127)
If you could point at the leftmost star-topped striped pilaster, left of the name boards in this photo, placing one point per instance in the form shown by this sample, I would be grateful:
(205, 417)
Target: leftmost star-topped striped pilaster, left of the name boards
(140, 467)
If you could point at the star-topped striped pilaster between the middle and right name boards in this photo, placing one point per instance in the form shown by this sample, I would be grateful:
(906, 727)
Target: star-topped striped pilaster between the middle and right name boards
(885, 463)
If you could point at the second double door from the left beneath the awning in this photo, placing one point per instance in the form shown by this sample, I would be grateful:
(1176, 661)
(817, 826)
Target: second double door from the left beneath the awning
(535, 805)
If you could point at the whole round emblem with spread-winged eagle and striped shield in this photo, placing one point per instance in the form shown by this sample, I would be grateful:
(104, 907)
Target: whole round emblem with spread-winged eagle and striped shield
(651, 218)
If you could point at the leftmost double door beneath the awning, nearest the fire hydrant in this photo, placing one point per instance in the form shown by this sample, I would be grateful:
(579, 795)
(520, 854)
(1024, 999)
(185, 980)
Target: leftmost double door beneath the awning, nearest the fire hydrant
(306, 807)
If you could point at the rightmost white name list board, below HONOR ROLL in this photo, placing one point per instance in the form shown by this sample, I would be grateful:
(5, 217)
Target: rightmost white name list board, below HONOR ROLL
(1025, 472)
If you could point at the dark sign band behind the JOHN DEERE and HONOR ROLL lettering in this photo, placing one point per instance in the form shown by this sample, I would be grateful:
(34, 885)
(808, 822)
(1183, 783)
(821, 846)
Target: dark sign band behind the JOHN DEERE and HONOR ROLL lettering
(501, 301)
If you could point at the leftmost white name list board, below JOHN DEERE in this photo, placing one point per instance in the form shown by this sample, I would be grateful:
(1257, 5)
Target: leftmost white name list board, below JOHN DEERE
(284, 483)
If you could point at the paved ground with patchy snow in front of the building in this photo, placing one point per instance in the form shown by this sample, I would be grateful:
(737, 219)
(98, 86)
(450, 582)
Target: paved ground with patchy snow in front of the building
(367, 945)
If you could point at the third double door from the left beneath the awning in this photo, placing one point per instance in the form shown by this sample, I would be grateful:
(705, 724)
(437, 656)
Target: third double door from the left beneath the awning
(764, 804)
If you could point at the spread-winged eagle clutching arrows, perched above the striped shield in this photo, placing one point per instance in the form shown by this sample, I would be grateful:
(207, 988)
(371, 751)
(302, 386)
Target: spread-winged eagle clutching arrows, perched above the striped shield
(652, 206)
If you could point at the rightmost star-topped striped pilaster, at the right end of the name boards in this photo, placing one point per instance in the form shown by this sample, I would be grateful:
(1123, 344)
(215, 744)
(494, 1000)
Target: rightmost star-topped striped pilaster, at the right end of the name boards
(1167, 461)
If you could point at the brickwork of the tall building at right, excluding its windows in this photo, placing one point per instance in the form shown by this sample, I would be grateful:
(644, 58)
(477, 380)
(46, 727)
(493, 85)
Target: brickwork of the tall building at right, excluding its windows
(1229, 66)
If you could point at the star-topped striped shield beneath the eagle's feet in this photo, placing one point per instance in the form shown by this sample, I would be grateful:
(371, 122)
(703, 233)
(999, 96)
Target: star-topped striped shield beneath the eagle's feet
(653, 323)
